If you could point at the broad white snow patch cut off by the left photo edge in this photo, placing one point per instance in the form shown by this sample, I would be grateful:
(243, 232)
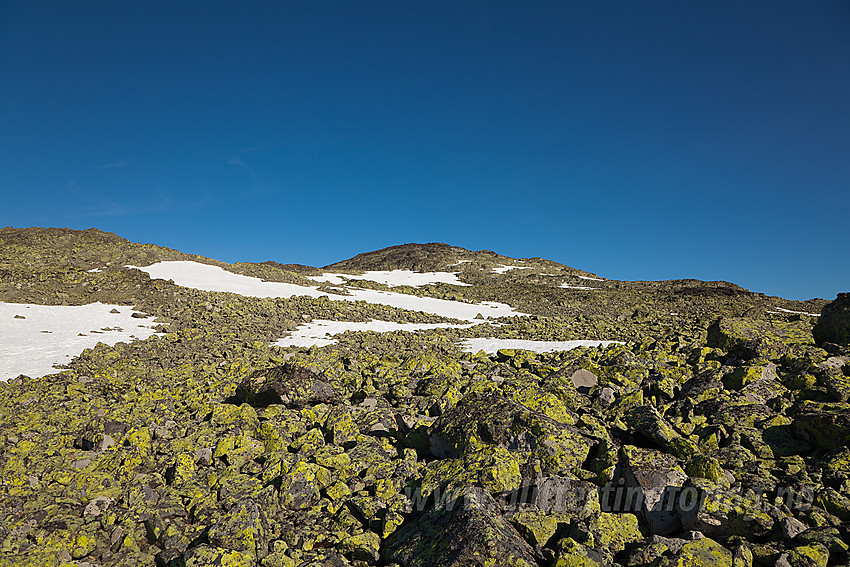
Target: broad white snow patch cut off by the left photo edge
(53, 334)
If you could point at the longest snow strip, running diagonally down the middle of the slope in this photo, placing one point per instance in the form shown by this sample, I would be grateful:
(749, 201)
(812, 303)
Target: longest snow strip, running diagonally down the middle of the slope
(212, 278)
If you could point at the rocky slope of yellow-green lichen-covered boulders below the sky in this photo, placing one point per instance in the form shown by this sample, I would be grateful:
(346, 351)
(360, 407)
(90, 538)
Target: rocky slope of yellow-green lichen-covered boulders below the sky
(716, 434)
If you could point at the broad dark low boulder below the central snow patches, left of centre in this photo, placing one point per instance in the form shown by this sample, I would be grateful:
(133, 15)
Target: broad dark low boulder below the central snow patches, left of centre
(289, 385)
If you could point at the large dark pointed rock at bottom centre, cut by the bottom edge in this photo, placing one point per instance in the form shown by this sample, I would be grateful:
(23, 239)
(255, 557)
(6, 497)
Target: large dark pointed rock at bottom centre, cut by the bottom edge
(471, 532)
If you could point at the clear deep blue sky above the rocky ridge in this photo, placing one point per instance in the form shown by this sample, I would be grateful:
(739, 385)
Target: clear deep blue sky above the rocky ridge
(637, 140)
